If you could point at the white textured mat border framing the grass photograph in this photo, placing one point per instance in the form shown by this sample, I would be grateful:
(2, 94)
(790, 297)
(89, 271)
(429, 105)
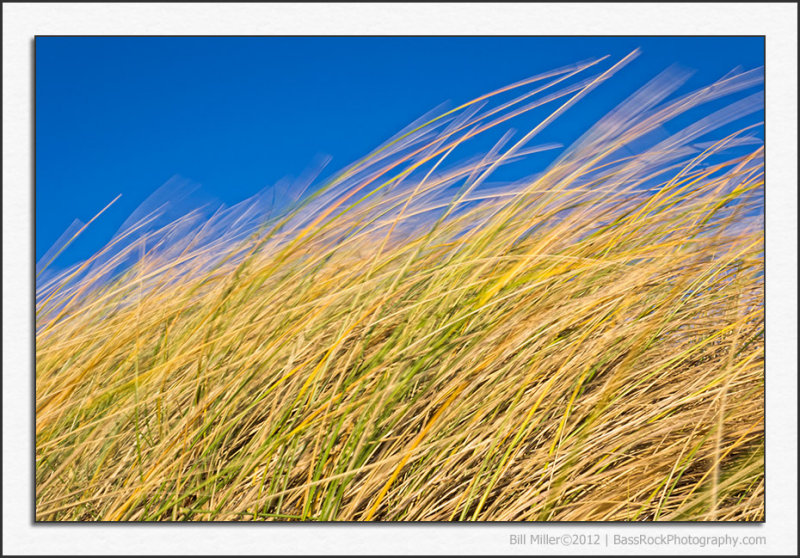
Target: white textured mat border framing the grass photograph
(22, 21)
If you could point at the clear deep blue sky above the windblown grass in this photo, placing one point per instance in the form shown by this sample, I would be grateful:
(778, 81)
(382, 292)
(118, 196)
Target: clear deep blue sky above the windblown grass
(123, 115)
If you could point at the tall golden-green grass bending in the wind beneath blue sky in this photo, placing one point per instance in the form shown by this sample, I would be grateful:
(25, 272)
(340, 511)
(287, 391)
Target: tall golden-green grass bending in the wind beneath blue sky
(412, 342)
